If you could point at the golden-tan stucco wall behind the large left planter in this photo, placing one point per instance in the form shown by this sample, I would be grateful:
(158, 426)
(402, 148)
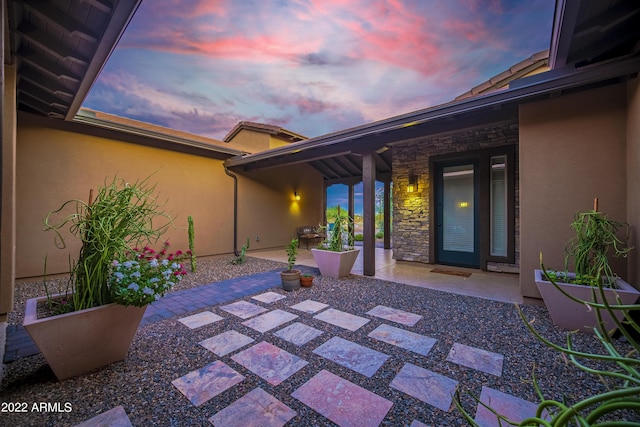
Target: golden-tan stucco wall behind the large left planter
(54, 166)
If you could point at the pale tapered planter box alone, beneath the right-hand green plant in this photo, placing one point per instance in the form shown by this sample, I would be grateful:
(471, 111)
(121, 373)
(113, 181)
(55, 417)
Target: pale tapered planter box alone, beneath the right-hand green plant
(572, 315)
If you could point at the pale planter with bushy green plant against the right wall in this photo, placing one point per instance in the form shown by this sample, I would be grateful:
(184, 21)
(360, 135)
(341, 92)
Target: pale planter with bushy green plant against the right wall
(564, 292)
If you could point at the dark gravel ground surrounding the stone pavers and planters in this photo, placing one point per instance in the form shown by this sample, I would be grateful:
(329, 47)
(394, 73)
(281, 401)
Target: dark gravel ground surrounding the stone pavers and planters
(167, 350)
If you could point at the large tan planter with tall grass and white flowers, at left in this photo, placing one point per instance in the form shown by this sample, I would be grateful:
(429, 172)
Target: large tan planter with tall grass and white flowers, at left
(94, 322)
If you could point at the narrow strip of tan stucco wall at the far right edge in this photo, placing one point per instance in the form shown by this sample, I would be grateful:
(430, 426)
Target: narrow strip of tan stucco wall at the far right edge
(633, 177)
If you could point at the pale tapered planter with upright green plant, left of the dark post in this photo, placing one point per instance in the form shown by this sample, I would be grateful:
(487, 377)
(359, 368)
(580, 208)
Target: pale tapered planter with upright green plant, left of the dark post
(336, 255)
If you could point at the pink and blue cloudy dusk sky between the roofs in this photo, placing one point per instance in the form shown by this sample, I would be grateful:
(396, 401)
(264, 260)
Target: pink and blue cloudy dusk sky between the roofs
(310, 66)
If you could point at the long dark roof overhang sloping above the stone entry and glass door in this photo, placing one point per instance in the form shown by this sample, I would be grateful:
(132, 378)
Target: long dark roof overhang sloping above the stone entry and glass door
(380, 136)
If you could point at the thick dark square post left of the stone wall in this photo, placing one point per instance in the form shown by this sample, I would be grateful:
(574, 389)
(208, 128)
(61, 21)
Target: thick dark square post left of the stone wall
(369, 214)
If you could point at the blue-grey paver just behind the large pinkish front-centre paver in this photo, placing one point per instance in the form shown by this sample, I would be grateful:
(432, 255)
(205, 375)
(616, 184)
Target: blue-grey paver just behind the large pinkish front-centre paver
(361, 359)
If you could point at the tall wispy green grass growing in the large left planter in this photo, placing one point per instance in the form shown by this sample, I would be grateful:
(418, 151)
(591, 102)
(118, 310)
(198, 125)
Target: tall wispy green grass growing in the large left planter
(121, 216)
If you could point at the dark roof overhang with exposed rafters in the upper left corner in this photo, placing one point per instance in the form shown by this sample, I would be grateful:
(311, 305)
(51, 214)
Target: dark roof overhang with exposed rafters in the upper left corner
(59, 48)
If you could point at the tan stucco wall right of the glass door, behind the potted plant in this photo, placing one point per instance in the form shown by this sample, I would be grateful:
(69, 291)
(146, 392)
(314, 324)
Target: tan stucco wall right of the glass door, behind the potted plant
(572, 149)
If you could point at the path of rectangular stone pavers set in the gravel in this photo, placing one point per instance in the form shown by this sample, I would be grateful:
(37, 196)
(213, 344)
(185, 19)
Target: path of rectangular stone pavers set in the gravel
(334, 397)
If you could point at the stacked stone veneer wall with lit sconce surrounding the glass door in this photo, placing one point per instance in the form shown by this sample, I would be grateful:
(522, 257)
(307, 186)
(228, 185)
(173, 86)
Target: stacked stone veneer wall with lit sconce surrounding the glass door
(411, 211)
